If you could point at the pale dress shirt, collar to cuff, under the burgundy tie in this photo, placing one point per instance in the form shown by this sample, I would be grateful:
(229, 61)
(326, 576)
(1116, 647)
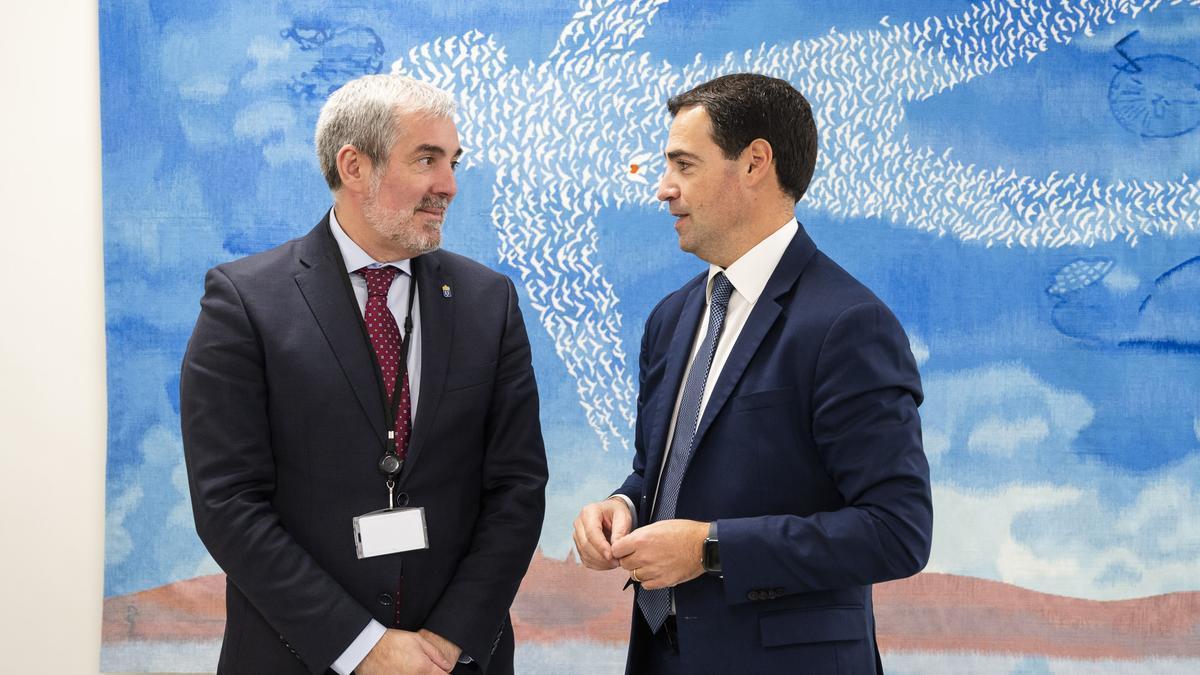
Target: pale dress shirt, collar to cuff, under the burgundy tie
(398, 302)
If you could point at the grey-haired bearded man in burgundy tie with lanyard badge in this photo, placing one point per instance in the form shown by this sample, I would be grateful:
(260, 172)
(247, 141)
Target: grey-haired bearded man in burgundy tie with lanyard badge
(361, 419)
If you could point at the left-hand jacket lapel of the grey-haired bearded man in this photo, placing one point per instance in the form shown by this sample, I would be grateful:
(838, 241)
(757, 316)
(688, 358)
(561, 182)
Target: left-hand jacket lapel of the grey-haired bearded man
(325, 291)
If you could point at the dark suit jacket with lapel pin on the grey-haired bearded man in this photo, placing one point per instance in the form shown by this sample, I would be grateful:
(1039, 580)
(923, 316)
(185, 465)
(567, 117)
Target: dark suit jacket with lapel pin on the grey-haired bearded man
(284, 423)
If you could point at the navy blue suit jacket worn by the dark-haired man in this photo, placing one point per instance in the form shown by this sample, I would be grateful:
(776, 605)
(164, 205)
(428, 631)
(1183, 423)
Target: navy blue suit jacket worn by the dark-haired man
(808, 455)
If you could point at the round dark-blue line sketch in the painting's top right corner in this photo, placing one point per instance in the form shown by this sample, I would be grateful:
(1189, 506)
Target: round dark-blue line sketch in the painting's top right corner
(1156, 97)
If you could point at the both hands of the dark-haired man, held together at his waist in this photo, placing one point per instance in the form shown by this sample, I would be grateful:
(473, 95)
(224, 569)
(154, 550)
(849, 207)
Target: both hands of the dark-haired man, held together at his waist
(658, 555)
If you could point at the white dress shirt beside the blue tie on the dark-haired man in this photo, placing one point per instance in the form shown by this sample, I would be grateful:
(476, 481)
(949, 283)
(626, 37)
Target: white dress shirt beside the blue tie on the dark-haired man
(749, 276)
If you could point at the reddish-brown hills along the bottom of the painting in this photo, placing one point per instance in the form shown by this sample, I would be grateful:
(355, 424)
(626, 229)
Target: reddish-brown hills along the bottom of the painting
(931, 613)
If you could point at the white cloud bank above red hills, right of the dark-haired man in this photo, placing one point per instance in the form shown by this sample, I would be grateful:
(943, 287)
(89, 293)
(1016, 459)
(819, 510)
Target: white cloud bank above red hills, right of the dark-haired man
(1070, 541)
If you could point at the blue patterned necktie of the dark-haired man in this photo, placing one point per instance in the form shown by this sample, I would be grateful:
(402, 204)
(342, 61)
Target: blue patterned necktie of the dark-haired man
(657, 605)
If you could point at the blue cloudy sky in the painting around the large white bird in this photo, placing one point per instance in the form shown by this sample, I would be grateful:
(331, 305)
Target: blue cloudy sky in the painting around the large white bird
(1046, 399)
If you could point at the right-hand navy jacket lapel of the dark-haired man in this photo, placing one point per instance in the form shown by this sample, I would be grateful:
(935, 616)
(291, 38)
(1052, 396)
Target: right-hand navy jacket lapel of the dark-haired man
(760, 321)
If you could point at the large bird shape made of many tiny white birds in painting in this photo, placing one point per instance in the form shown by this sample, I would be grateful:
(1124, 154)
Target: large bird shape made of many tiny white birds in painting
(581, 132)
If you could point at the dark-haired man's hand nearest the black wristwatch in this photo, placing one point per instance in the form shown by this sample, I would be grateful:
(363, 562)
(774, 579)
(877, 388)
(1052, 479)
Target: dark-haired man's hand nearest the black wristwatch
(663, 554)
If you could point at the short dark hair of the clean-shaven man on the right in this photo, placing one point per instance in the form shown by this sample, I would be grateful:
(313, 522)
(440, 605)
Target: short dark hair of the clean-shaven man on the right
(748, 106)
